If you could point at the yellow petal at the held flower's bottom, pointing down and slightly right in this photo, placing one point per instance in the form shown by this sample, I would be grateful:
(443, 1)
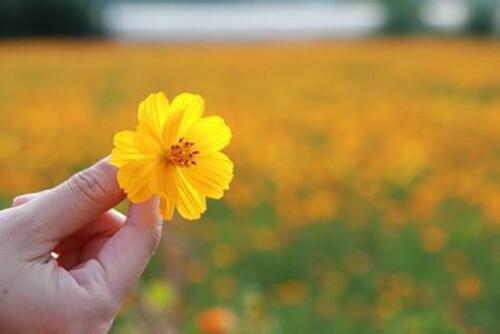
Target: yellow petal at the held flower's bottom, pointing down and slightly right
(190, 203)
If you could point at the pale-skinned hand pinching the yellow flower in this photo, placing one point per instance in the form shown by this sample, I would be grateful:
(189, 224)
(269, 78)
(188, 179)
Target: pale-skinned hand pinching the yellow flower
(102, 254)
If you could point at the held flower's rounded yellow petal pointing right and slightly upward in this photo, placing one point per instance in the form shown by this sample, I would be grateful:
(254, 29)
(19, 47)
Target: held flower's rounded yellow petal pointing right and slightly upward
(210, 134)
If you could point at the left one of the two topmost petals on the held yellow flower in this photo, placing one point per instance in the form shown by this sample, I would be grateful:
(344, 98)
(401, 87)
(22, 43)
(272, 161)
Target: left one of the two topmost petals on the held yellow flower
(153, 113)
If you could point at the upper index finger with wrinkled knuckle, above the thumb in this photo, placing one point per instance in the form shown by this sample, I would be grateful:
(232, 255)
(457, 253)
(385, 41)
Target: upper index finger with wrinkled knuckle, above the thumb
(65, 209)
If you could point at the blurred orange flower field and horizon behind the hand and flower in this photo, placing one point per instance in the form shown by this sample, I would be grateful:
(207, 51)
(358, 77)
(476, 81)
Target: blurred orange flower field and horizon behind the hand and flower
(366, 142)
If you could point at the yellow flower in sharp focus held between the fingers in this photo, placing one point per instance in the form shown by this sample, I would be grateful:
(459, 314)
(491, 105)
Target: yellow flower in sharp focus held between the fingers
(175, 154)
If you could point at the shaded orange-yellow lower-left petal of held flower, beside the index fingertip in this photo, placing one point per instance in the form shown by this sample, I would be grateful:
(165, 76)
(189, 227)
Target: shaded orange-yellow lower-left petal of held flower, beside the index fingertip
(134, 178)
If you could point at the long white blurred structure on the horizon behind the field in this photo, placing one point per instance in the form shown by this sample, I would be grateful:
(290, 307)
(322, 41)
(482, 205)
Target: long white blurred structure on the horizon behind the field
(242, 21)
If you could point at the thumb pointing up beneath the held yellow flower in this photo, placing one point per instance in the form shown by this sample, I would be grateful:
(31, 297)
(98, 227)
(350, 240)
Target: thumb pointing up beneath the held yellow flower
(127, 253)
